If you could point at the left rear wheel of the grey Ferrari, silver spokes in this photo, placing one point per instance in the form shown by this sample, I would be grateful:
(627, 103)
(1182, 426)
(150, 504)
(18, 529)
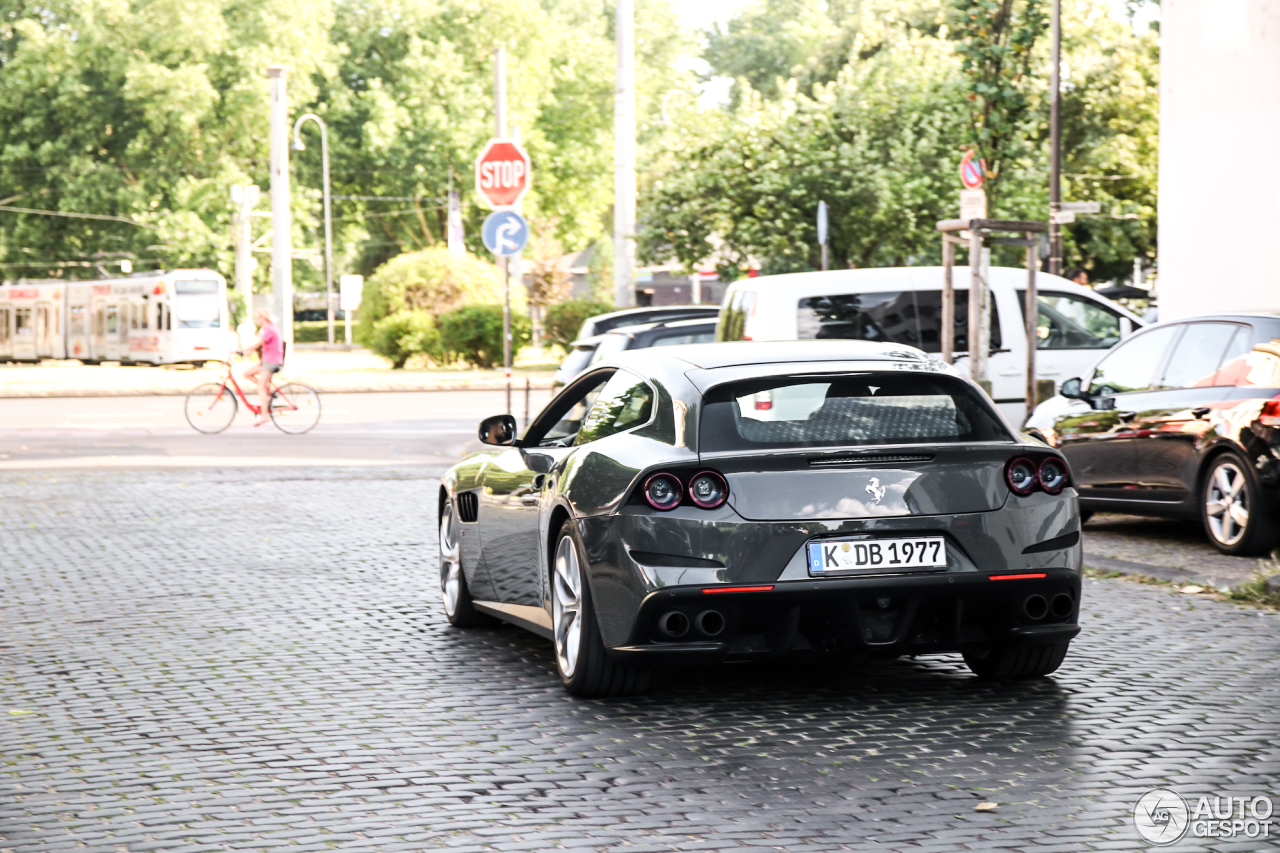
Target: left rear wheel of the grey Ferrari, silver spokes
(582, 662)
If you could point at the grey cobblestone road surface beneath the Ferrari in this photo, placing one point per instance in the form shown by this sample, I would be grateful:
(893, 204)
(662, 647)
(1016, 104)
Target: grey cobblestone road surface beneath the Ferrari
(255, 660)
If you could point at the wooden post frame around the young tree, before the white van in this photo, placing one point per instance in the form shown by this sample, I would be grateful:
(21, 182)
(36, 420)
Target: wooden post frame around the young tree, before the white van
(982, 232)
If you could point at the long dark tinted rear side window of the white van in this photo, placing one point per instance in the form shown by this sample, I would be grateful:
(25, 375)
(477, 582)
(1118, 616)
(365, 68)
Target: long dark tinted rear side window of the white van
(893, 317)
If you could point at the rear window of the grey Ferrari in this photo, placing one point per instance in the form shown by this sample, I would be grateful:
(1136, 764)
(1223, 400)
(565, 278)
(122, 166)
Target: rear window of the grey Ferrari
(845, 410)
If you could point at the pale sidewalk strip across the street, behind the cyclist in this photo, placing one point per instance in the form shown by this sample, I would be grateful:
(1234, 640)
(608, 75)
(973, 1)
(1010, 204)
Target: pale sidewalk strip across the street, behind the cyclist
(330, 371)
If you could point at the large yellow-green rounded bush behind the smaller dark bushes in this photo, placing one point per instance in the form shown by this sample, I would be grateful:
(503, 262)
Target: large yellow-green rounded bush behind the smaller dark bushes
(433, 281)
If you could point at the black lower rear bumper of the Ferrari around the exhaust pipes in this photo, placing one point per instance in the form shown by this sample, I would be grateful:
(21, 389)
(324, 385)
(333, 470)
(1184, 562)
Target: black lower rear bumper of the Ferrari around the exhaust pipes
(863, 617)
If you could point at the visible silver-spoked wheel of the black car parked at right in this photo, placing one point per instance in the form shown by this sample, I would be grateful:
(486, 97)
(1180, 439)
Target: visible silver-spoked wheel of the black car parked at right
(1233, 509)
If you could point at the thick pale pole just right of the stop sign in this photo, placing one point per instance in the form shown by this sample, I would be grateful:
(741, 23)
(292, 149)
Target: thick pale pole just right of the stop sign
(625, 158)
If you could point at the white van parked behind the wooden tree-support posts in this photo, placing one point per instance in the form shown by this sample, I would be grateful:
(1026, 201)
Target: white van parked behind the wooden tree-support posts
(904, 305)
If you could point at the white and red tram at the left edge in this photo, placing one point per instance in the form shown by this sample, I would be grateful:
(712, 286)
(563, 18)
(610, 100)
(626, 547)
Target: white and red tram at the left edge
(149, 318)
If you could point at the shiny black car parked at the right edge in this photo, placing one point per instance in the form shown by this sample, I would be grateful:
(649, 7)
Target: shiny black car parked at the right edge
(1181, 421)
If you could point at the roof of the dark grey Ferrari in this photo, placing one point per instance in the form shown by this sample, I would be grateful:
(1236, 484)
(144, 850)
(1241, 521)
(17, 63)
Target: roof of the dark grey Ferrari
(737, 354)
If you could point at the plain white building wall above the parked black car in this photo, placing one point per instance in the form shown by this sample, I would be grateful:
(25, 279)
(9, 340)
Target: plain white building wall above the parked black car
(1219, 157)
